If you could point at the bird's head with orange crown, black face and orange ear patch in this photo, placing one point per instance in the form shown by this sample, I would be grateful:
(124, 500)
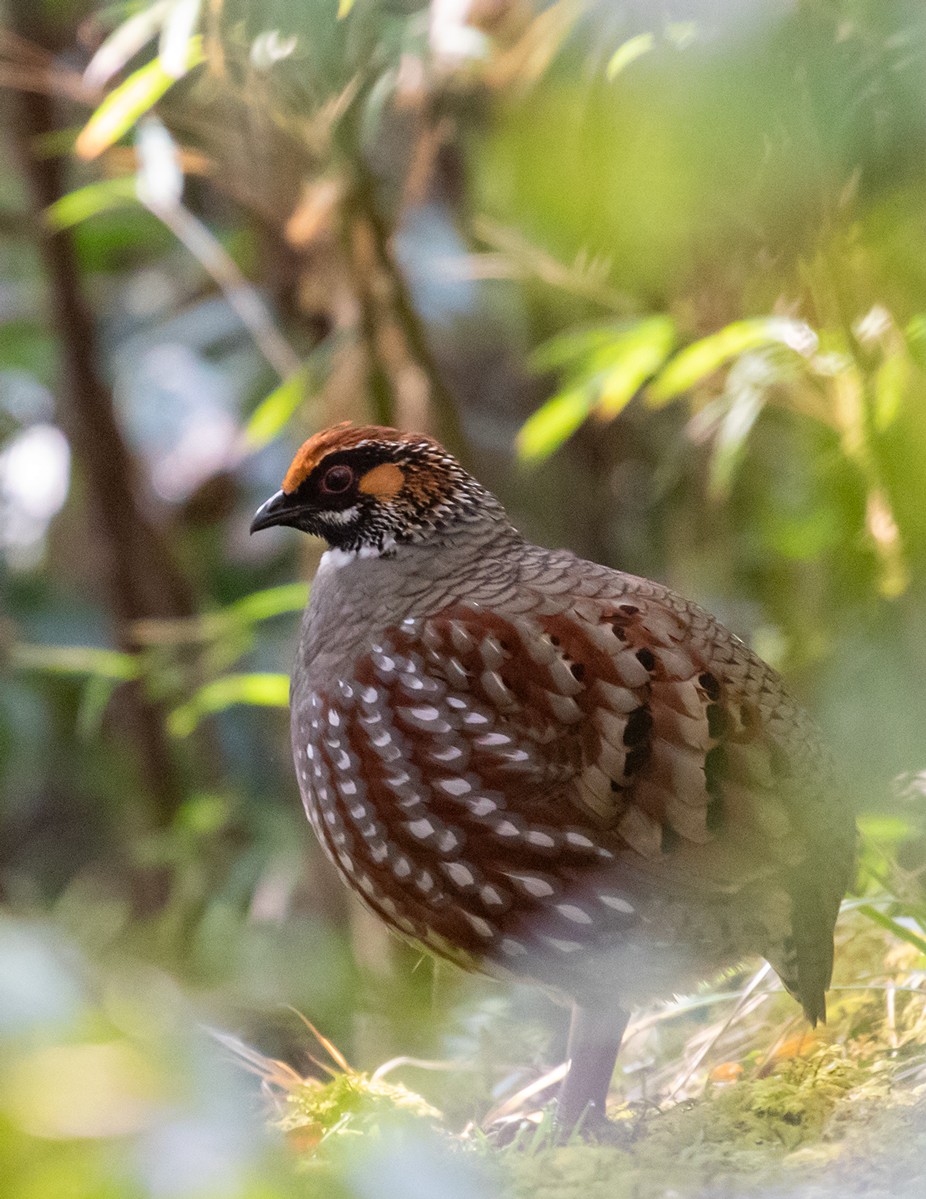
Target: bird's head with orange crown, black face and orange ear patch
(368, 490)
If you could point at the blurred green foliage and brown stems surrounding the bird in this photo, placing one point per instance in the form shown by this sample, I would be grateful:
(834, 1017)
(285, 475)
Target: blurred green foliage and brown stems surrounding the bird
(656, 270)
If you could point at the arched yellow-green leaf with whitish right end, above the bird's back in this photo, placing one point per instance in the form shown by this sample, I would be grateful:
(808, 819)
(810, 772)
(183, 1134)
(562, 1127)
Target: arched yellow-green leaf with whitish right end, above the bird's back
(702, 359)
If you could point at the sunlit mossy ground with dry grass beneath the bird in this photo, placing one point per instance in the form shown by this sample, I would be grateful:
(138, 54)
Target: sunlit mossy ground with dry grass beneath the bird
(750, 1105)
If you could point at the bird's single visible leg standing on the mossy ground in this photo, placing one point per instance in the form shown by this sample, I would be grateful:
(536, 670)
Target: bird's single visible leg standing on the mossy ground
(594, 1040)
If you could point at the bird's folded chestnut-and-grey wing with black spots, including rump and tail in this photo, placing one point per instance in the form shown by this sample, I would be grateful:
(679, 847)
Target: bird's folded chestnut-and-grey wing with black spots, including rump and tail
(644, 725)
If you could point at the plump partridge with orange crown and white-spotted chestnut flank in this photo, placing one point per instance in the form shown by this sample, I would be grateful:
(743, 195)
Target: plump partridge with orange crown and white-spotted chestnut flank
(544, 769)
